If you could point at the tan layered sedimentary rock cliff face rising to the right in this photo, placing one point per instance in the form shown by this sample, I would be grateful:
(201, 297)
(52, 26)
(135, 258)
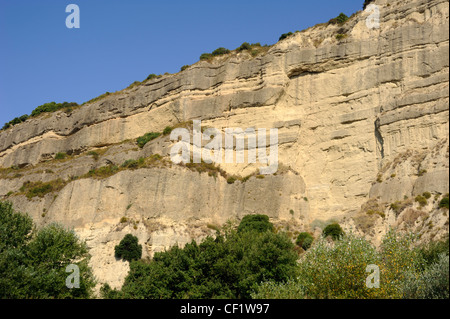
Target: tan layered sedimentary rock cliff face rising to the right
(361, 117)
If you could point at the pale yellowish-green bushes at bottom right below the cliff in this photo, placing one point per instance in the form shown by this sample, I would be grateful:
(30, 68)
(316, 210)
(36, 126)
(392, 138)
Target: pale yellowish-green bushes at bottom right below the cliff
(338, 270)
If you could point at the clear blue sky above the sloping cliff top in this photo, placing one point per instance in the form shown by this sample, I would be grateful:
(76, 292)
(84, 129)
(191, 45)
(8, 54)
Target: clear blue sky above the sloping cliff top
(121, 41)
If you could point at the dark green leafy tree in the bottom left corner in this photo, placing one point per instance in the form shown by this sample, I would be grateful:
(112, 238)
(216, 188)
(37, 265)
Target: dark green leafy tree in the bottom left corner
(33, 262)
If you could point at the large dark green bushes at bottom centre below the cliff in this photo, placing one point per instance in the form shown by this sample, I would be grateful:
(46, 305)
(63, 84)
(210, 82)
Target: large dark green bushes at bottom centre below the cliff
(227, 266)
